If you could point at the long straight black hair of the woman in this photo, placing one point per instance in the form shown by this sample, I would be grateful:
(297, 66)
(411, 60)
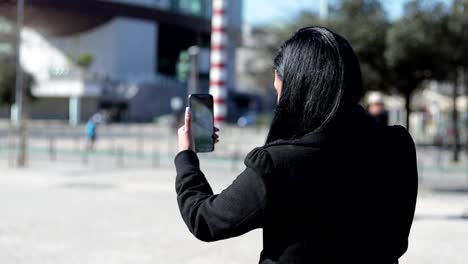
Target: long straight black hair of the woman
(321, 80)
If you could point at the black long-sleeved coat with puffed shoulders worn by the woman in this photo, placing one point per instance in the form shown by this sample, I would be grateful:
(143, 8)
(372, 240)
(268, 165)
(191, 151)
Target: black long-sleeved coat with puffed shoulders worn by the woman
(343, 196)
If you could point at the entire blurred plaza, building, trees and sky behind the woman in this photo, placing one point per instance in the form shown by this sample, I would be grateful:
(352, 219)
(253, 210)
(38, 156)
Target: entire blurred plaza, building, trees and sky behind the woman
(92, 92)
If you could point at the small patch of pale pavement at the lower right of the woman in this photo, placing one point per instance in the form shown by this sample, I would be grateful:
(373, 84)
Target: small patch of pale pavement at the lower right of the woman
(440, 231)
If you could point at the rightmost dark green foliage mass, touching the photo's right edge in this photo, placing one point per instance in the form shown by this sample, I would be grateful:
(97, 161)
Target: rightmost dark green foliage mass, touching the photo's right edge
(428, 42)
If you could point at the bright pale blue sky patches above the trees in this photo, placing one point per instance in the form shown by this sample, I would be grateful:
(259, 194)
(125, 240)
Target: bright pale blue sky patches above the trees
(264, 11)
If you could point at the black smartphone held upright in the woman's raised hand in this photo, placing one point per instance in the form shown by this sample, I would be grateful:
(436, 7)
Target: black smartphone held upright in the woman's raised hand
(201, 106)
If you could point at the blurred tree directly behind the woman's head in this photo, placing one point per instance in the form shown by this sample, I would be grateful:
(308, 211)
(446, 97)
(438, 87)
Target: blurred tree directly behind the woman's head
(362, 22)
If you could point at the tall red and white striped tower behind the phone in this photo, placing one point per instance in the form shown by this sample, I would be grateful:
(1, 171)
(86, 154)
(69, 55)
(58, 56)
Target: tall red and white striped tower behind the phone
(218, 72)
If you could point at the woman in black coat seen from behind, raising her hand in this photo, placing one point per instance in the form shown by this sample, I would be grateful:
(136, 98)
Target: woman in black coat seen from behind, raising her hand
(329, 186)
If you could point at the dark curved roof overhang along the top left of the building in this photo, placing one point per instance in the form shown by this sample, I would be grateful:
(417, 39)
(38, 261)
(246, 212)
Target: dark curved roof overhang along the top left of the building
(58, 17)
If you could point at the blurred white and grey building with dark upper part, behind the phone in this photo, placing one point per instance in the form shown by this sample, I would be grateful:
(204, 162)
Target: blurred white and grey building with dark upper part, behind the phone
(119, 55)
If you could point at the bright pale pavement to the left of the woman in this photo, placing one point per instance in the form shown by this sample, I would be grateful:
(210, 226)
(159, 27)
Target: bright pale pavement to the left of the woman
(76, 215)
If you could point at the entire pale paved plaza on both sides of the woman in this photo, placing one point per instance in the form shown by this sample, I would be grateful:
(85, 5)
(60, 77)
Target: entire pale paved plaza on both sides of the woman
(122, 209)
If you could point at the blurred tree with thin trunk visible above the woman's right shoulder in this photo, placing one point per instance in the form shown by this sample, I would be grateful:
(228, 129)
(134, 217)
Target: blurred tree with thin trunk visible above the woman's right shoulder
(412, 54)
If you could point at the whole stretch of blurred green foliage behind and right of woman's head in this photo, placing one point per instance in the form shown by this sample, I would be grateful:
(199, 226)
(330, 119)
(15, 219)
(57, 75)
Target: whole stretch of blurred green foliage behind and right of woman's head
(428, 42)
